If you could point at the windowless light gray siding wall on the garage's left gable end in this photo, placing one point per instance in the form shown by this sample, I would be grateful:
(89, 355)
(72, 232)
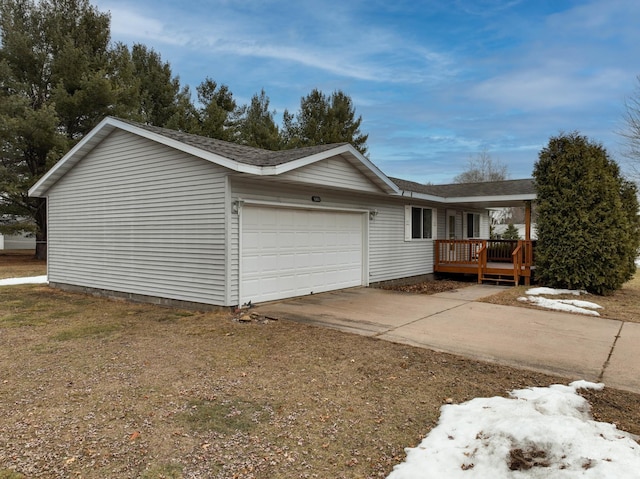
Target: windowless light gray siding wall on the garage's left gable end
(137, 217)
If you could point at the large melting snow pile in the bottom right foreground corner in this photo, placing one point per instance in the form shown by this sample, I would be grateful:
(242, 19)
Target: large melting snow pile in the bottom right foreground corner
(537, 433)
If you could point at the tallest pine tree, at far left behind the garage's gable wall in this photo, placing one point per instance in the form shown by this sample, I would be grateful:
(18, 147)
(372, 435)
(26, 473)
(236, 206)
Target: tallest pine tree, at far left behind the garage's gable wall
(54, 88)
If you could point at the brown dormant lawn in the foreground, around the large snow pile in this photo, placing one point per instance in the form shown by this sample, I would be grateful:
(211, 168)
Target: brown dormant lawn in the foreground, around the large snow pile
(95, 388)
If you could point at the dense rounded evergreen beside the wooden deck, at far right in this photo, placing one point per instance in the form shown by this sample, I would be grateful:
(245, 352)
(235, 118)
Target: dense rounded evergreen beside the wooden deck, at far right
(586, 232)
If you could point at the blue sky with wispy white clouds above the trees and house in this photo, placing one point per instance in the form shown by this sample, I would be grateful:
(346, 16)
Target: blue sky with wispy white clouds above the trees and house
(436, 82)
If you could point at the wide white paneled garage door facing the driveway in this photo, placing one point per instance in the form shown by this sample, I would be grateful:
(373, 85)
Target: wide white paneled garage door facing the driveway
(290, 252)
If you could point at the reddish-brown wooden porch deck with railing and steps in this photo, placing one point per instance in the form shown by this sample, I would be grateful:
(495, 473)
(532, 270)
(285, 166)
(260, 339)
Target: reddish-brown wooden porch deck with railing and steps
(492, 260)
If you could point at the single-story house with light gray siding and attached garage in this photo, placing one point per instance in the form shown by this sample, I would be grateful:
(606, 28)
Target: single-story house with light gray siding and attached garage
(163, 216)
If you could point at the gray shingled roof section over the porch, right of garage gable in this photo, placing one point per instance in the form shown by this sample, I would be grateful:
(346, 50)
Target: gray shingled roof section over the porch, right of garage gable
(457, 190)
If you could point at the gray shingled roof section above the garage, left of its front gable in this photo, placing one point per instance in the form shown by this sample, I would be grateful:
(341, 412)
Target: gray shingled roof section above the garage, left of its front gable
(240, 153)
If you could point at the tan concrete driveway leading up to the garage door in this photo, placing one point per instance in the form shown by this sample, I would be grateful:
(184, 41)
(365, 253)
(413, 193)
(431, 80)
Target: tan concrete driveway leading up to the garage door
(569, 345)
